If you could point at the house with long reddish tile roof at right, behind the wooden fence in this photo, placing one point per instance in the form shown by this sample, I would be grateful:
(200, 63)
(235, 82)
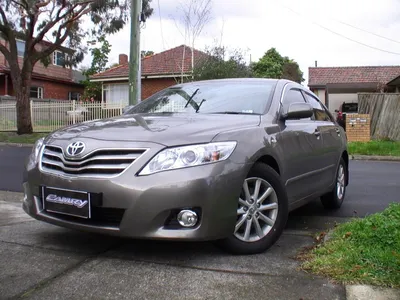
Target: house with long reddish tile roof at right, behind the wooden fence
(335, 85)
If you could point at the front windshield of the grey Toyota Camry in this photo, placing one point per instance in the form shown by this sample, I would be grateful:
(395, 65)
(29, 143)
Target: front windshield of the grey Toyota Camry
(217, 97)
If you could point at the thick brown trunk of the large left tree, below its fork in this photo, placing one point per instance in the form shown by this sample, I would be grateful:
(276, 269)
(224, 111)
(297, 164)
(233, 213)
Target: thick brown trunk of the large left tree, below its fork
(22, 93)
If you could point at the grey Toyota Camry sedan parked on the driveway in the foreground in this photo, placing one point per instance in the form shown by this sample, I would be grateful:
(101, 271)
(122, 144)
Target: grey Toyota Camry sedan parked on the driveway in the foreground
(220, 160)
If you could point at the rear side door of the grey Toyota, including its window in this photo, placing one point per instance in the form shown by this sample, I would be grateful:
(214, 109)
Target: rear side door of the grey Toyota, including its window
(331, 140)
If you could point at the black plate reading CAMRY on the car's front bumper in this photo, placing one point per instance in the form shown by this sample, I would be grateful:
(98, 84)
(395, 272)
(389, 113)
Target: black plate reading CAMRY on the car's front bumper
(66, 202)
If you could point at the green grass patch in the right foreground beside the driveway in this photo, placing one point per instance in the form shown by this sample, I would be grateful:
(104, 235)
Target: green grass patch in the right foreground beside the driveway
(363, 251)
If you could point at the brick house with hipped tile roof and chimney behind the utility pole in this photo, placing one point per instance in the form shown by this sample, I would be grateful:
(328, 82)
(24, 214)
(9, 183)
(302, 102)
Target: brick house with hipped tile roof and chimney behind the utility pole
(159, 71)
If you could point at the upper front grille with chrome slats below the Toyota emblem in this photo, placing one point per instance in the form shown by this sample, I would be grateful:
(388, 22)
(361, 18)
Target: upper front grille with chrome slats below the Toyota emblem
(100, 163)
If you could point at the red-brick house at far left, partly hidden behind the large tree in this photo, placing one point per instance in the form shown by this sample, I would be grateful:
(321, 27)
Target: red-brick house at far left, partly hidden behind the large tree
(53, 82)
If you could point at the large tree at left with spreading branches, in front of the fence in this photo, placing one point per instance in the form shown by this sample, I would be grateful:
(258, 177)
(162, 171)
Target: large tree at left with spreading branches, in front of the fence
(49, 25)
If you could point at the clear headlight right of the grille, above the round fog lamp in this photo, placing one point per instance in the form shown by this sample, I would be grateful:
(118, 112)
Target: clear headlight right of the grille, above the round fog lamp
(188, 156)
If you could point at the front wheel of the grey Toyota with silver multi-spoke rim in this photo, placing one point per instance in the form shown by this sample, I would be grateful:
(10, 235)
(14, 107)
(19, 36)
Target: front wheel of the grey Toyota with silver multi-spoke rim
(277, 211)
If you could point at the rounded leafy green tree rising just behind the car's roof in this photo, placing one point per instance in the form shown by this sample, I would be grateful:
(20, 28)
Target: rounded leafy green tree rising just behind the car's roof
(273, 65)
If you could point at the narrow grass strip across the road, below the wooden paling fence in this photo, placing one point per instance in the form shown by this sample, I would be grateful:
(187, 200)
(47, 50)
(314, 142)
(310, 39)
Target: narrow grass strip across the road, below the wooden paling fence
(381, 148)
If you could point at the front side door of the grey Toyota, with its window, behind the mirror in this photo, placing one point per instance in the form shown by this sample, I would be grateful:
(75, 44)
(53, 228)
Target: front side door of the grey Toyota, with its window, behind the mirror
(300, 145)
